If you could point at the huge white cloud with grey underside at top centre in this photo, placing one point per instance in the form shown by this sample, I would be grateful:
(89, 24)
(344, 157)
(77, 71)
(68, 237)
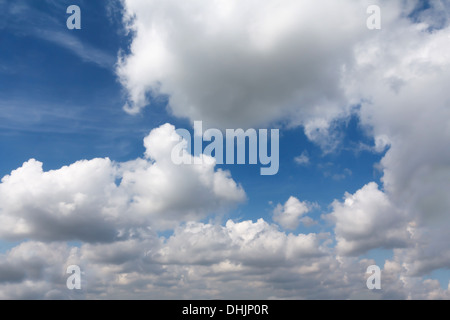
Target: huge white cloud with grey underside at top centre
(241, 63)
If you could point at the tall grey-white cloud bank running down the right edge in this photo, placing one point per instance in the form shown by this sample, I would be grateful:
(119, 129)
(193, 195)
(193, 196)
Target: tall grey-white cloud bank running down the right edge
(401, 77)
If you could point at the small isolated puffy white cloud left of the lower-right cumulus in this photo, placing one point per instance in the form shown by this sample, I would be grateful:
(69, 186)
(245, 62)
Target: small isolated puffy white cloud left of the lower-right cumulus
(290, 214)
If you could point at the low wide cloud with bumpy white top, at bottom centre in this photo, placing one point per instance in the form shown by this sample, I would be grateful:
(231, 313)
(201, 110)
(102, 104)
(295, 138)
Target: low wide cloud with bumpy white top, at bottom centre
(244, 243)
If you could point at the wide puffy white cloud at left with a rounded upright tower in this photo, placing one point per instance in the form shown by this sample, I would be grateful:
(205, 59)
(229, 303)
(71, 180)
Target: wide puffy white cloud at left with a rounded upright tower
(99, 200)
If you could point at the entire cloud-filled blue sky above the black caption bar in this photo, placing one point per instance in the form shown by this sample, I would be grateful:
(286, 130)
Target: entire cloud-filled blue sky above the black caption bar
(89, 118)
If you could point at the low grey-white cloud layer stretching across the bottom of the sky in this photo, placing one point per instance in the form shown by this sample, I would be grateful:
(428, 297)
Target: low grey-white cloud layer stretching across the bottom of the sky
(237, 261)
